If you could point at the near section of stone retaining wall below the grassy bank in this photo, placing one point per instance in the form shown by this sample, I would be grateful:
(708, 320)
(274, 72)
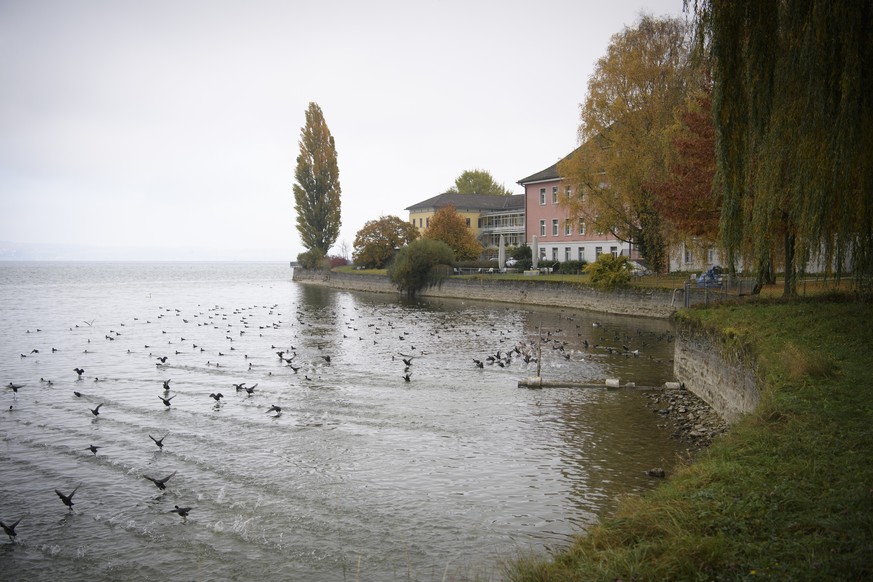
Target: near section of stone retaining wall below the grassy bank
(717, 370)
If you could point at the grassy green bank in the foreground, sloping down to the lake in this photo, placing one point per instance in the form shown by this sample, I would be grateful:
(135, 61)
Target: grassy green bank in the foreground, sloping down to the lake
(787, 494)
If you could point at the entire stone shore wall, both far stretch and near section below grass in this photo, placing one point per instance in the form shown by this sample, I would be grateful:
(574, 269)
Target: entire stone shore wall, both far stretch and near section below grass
(707, 363)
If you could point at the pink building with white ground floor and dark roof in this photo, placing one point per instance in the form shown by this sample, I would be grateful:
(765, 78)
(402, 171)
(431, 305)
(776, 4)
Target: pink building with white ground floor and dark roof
(560, 237)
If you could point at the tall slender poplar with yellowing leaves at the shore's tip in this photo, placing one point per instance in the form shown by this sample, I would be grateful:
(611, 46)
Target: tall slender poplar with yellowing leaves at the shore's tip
(317, 186)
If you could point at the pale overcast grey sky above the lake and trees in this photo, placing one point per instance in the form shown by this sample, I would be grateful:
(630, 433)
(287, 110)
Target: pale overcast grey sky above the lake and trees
(161, 129)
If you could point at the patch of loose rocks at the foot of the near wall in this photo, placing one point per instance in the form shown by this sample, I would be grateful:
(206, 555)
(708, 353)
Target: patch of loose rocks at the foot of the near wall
(691, 419)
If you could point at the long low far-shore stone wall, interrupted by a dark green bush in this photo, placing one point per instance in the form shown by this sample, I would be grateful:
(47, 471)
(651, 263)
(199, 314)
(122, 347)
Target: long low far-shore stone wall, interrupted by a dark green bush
(642, 302)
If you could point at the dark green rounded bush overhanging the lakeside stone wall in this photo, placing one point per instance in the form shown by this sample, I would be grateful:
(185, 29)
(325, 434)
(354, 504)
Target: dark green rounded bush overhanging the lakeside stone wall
(420, 264)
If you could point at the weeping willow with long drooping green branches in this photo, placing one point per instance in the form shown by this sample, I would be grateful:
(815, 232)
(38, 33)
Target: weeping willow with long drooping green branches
(793, 109)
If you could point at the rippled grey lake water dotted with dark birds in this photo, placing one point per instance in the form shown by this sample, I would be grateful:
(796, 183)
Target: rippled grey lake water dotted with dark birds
(362, 476)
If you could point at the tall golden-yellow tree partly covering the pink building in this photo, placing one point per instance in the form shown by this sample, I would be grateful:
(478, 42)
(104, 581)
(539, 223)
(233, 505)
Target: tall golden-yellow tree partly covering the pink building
(631, 102)
